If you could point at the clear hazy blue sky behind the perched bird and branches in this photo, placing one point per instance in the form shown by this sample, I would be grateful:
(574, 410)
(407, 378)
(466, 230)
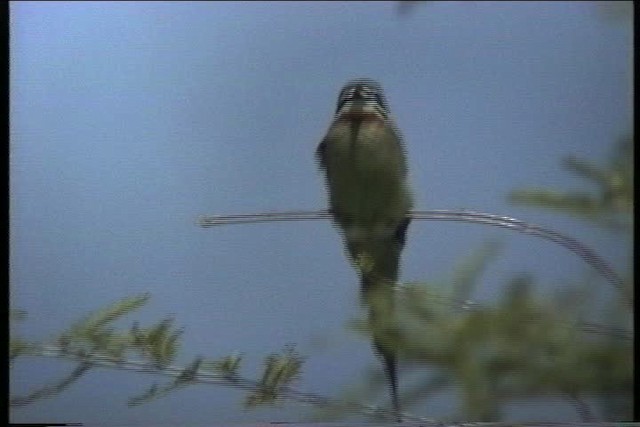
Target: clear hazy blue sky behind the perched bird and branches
(131, 119)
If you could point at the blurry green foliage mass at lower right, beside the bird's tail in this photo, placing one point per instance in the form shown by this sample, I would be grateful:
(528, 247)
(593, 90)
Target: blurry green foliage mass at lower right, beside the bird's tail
(526, 345)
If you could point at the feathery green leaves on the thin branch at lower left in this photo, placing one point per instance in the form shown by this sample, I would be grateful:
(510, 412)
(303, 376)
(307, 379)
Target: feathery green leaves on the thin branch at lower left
(95, 342)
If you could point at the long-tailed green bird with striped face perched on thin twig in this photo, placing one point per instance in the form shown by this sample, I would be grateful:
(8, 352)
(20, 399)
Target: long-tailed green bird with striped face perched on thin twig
(365, 165)
